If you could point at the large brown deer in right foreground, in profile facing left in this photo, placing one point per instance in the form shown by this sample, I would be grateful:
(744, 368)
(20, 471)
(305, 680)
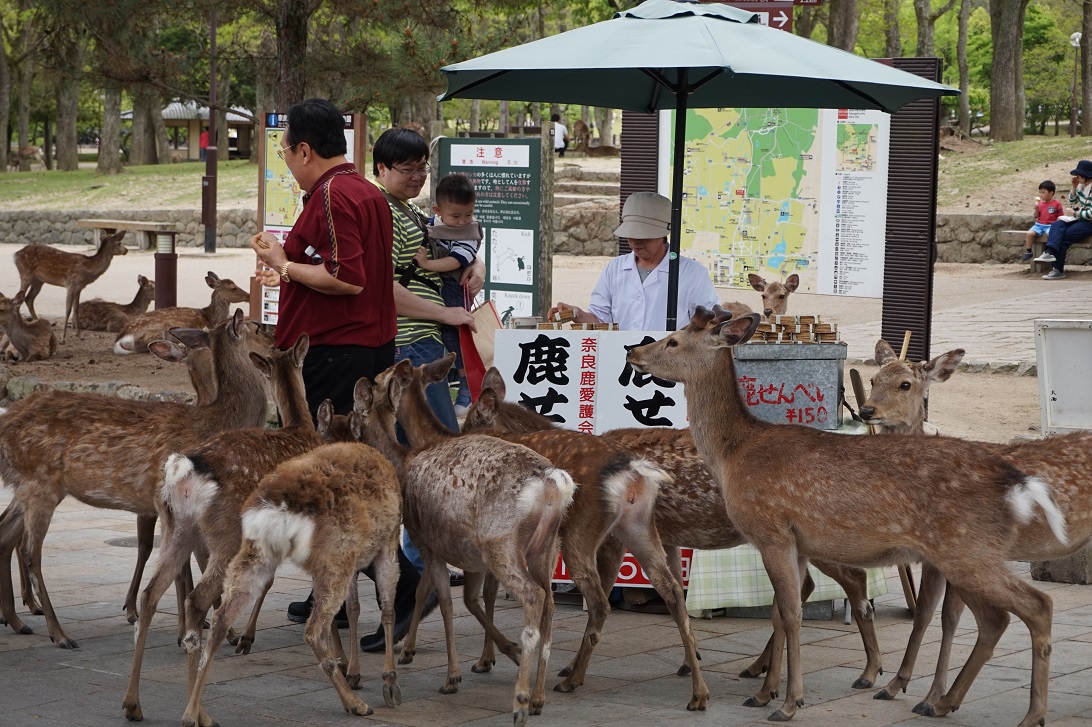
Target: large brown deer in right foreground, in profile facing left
(953, 504)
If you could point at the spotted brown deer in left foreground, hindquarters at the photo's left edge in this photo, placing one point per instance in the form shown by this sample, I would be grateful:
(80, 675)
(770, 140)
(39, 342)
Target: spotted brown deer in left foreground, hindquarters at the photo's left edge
(110, 452)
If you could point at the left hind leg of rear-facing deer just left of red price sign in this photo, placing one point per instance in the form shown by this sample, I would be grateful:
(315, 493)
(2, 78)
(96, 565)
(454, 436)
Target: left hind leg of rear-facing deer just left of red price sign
(595, 575)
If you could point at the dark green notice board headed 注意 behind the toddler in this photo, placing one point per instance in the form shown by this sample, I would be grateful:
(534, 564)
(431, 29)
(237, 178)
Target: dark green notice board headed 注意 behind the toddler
(506, 174)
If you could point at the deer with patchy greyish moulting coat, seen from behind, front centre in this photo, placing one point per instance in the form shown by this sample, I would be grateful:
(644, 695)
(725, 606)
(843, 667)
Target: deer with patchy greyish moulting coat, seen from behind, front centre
(483, 505)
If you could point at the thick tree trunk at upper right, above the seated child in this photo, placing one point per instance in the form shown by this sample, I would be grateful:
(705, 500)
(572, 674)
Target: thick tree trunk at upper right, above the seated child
(1006, 92)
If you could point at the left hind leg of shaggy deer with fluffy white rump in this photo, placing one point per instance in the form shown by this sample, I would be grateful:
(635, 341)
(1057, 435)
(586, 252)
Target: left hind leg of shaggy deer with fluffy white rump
(250, 574)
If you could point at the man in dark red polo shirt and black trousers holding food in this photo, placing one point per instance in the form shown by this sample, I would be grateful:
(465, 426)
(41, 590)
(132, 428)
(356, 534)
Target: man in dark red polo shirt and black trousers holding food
(337, 279)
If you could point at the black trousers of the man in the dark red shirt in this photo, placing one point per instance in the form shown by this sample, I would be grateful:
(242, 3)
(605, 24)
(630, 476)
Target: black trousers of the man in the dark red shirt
(331, 373)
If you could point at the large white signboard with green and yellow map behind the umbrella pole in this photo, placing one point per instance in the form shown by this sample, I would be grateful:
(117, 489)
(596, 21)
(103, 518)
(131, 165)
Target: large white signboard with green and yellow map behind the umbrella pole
(777, 192)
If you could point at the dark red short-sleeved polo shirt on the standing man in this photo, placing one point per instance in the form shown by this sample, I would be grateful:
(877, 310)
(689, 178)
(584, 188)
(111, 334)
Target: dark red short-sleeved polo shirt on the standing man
(348, 222)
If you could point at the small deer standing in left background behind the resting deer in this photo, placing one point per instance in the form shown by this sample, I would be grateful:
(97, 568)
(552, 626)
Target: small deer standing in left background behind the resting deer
(40, 265)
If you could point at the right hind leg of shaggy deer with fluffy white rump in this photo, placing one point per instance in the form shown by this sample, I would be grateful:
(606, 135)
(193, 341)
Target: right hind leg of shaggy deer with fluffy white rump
(322, 634)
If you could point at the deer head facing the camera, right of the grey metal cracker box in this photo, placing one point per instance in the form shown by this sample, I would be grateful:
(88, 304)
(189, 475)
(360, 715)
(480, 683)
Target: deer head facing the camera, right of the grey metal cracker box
(900, 395)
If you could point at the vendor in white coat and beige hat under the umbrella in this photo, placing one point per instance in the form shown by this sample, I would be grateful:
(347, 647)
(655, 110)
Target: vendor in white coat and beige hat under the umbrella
(633, 290)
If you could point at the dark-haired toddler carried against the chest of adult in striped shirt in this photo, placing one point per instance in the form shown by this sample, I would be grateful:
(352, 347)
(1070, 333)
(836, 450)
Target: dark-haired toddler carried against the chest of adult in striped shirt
(454, 237)
